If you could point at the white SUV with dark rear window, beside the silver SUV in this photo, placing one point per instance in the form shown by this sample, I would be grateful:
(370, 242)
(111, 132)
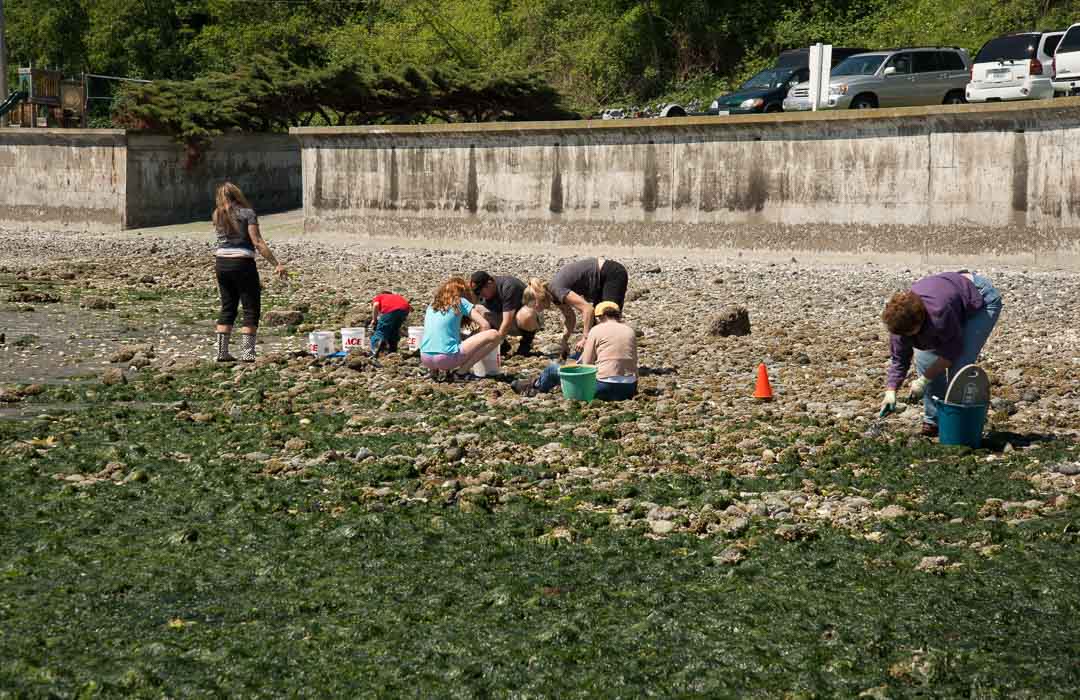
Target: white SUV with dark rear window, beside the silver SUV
(1016, 66)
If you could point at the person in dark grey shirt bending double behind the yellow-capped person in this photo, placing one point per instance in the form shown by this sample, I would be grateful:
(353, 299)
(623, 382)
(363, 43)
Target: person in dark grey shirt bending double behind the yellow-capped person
(582, 286)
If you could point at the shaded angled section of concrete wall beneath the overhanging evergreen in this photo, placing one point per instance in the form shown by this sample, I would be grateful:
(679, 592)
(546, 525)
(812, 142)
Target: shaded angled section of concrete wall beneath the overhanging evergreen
(161, 190)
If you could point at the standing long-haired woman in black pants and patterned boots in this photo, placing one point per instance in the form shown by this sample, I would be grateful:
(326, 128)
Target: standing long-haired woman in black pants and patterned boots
(238, 278)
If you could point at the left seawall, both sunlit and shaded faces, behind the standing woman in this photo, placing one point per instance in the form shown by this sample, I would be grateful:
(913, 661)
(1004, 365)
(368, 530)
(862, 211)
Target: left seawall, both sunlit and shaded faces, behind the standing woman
(113, 180)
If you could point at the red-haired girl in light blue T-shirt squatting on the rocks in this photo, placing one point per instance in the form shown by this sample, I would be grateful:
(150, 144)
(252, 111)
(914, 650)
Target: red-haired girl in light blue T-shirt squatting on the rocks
(442, 348)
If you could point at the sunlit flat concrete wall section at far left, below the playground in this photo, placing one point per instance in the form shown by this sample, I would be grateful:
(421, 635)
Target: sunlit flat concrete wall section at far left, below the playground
(63, 179)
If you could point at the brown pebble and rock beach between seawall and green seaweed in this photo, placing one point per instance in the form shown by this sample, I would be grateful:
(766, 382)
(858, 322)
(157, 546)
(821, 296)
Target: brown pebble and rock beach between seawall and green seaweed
(815, 325)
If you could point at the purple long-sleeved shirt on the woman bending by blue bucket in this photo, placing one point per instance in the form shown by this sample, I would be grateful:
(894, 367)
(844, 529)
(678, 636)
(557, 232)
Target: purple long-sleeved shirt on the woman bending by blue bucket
(951, 299)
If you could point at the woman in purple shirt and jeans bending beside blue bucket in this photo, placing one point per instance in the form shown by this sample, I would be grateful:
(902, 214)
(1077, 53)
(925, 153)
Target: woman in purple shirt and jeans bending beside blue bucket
(946, 320)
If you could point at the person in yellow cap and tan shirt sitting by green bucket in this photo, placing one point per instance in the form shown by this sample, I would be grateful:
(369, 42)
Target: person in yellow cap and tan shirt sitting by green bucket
(612, 346)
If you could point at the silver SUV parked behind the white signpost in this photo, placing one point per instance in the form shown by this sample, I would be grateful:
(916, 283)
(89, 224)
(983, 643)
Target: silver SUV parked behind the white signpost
(894, 78)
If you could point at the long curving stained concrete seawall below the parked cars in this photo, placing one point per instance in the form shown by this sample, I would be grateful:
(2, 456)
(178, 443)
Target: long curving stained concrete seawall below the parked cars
(998, 180)
